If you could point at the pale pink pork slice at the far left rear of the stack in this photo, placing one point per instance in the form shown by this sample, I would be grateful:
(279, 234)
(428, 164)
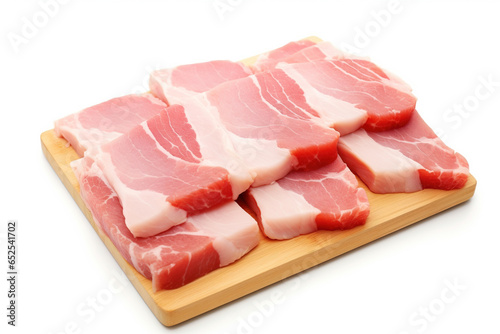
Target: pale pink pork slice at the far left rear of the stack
(97, 125)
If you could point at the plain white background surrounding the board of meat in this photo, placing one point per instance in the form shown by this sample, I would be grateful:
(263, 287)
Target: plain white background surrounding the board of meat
(86, 52)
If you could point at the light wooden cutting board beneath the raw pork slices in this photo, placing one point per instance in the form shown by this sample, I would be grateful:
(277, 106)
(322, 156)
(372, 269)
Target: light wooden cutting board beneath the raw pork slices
(271, 261)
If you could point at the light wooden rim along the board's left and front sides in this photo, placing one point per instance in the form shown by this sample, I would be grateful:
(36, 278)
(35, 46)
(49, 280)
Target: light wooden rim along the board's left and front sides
(356, 237)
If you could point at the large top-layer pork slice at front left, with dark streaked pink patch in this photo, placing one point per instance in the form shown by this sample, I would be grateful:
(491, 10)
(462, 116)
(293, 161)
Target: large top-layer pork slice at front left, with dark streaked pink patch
(170, 167)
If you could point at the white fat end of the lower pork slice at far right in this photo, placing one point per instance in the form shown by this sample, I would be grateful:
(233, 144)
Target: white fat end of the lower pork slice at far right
(393, 171)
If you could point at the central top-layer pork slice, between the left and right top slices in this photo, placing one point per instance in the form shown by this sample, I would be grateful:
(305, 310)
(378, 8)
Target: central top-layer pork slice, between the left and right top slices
(271, 125)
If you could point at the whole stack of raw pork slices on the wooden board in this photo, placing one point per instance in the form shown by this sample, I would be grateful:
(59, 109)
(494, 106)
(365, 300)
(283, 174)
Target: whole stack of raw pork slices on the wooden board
(161, 171)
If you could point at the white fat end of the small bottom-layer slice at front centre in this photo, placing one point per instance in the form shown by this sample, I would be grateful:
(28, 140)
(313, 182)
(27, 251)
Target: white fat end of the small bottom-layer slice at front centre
(284, 214)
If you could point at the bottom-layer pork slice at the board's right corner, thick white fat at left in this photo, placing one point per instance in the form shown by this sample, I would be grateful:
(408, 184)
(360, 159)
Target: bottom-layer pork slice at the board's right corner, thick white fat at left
(407, 159)
